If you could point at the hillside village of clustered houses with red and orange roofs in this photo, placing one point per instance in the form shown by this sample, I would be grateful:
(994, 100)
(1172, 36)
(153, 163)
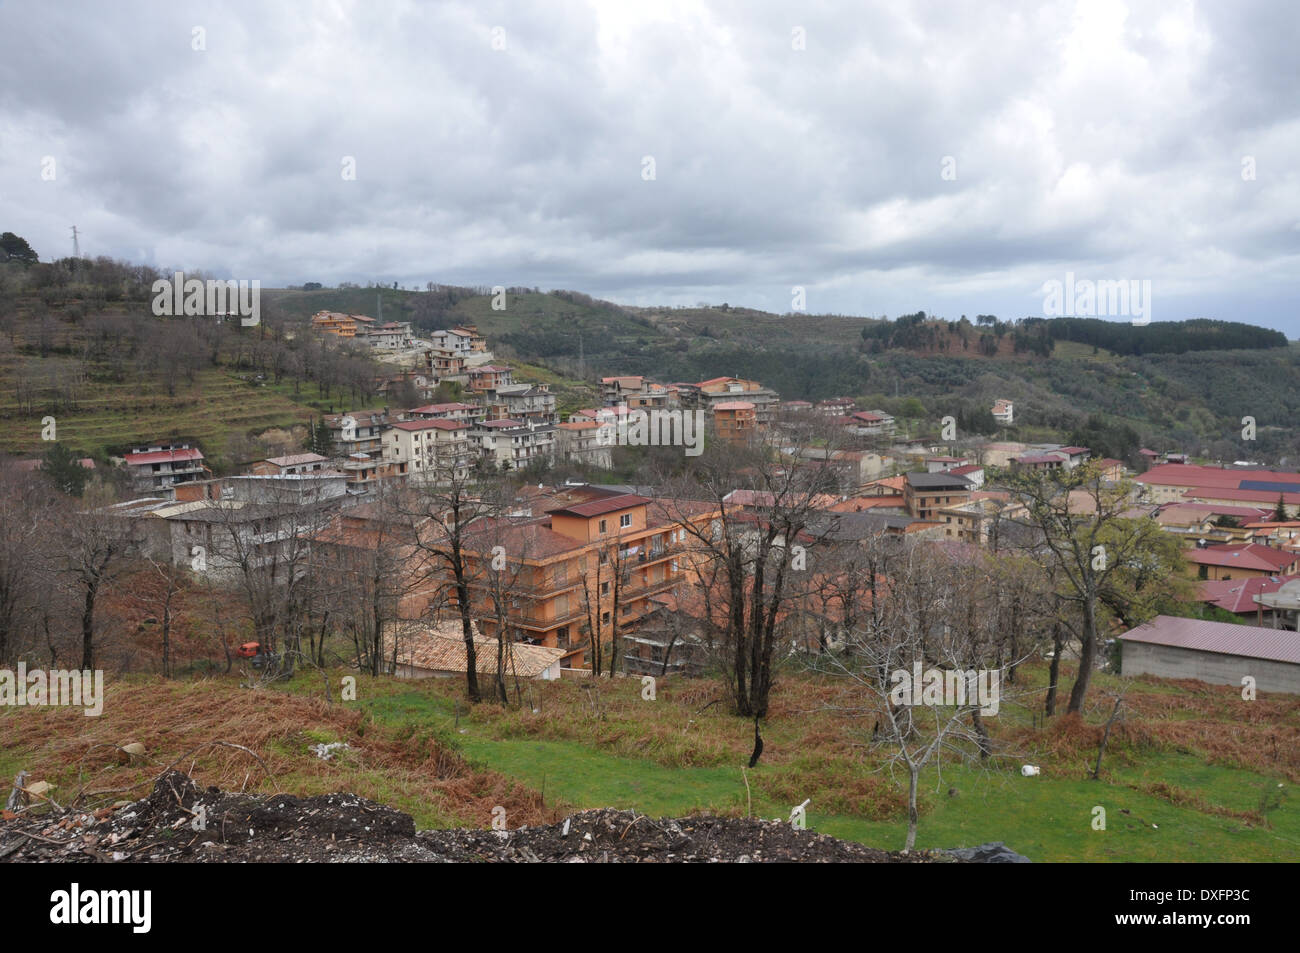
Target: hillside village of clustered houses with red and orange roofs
(859, 476)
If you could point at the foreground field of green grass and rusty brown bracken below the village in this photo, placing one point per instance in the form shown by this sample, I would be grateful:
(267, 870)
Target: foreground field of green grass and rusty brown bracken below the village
(1189, 777)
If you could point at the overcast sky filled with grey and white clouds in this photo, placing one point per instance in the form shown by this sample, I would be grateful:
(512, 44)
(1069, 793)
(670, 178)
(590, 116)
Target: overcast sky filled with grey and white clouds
(885, 157)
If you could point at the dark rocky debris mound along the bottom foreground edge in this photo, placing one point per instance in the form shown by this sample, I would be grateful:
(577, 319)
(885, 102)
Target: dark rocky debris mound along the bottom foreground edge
(181, 824)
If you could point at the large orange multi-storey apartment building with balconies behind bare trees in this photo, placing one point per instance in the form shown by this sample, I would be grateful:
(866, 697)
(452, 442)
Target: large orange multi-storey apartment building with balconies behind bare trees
(571, 565)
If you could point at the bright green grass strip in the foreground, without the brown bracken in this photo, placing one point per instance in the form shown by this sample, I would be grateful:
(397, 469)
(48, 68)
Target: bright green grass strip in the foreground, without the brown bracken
(1046, 818)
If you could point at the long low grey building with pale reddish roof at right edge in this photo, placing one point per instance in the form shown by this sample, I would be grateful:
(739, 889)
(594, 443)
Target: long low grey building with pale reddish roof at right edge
(1219, 653)
